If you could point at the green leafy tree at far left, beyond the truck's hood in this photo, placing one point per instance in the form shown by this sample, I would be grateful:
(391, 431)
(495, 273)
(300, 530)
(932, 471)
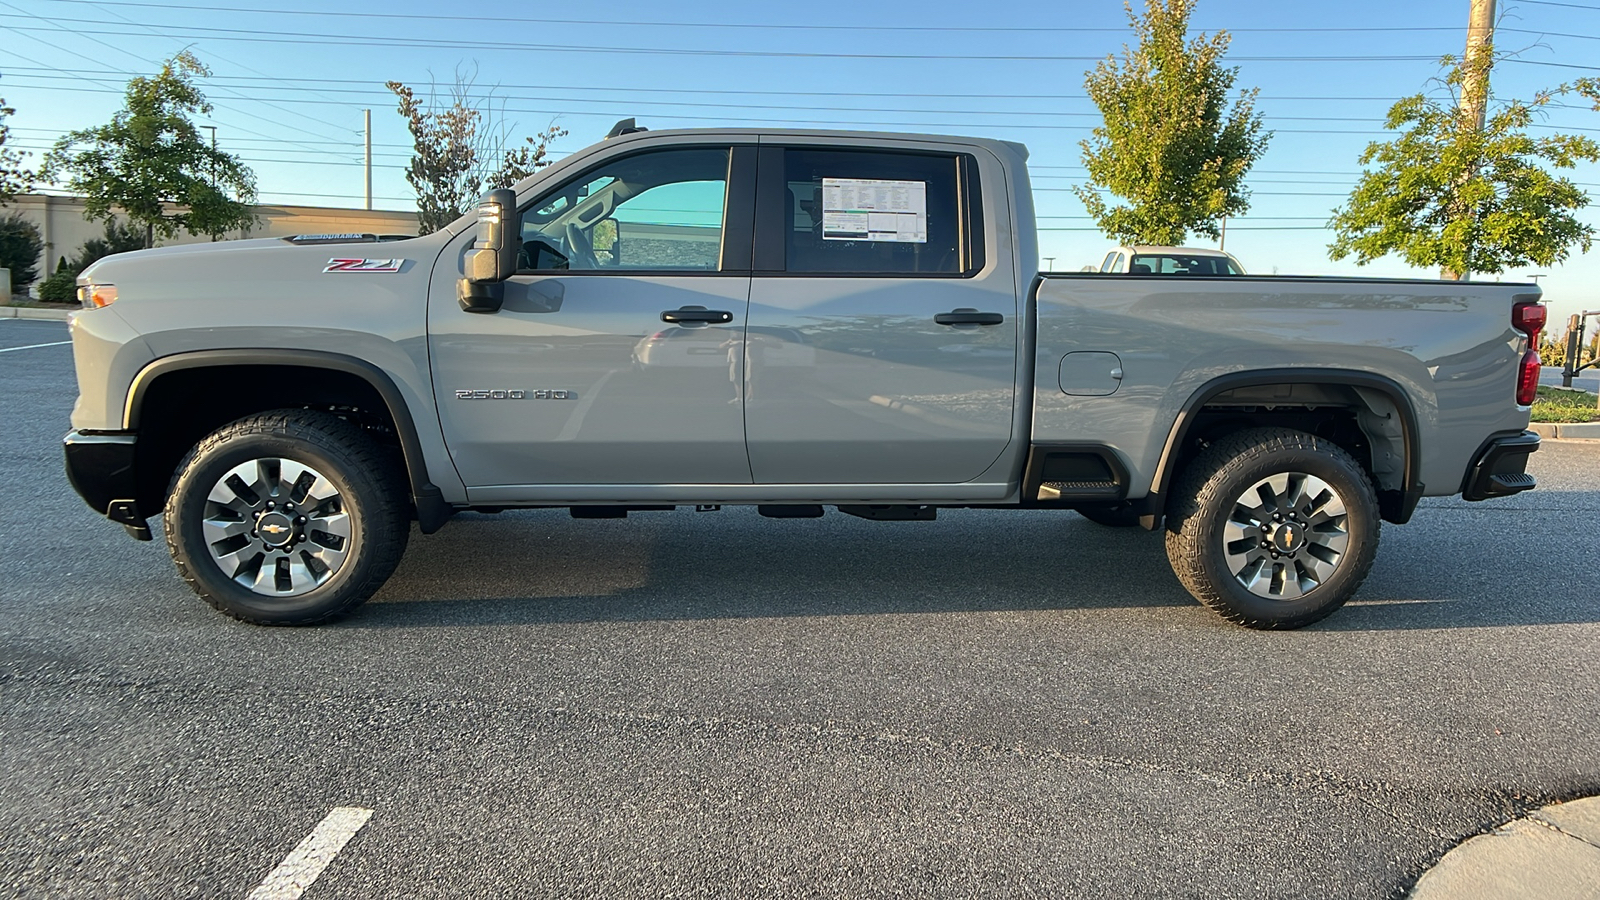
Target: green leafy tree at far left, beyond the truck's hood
(151, 163)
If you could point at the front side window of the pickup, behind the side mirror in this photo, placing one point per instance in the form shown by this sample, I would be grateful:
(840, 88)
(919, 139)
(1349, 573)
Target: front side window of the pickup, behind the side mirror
(662, 211)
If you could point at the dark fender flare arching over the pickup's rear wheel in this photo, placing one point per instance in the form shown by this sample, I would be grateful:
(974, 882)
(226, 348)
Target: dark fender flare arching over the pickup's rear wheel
(1398, 507)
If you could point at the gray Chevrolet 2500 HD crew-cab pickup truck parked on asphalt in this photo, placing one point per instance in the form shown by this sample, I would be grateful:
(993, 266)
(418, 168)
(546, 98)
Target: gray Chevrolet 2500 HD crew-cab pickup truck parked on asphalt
(786, 321)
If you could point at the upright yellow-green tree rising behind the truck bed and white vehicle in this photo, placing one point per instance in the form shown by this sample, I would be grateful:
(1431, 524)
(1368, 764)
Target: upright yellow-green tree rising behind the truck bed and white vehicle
(1172, 145)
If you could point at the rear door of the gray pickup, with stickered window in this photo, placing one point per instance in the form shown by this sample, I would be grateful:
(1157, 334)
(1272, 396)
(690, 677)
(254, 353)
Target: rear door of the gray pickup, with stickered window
(884, 324)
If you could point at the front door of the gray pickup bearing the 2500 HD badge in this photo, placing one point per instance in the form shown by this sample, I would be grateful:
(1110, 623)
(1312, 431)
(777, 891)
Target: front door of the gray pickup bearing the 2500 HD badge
(617, 356)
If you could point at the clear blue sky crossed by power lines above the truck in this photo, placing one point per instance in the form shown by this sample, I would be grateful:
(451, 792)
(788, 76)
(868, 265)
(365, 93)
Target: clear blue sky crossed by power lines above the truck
(290, 84)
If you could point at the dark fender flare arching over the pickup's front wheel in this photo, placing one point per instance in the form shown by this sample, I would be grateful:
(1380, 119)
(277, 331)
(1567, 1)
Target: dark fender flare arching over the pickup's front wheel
(433, 512)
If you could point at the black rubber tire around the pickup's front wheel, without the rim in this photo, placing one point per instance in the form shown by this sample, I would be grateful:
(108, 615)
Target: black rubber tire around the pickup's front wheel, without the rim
(372, 496)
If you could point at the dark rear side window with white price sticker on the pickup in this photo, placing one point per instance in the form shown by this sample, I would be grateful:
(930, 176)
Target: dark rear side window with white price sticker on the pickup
(881, 214)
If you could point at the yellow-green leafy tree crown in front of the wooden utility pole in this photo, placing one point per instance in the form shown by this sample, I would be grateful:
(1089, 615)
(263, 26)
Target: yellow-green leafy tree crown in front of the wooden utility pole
(1446, 193)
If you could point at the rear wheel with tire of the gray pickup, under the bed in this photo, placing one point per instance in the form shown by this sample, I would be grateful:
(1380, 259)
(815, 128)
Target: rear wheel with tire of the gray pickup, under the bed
(1273, 528)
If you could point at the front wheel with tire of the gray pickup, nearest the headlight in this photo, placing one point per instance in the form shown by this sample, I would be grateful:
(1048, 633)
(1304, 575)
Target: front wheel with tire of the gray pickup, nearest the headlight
(287, 518)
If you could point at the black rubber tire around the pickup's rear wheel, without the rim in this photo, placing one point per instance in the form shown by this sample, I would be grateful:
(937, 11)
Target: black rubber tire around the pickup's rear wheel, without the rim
(1207, 496)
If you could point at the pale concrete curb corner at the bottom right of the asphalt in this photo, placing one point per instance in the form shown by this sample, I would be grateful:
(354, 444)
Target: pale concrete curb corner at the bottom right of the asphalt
(1551, 854)
